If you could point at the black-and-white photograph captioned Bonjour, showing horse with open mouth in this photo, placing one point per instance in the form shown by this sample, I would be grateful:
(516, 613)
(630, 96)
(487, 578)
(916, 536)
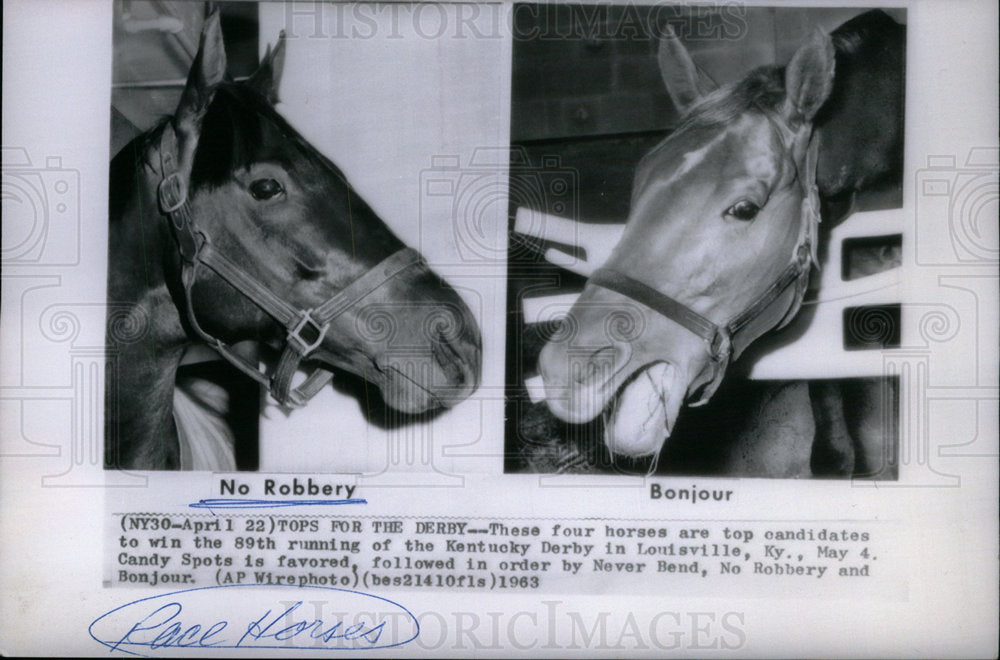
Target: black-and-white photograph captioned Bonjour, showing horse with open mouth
(703, 201)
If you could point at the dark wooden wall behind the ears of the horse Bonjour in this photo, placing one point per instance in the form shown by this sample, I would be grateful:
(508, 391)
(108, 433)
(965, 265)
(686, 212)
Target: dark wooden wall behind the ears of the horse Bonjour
(591, 70)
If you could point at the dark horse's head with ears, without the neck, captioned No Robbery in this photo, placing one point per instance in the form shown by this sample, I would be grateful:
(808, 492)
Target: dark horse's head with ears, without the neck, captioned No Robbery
(274, 245)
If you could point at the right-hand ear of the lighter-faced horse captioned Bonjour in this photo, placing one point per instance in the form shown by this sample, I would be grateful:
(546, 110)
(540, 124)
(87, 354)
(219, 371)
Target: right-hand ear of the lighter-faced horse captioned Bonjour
(809, 79)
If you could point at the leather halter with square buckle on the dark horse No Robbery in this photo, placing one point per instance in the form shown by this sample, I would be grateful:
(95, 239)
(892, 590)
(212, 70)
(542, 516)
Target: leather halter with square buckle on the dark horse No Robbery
(306, 327)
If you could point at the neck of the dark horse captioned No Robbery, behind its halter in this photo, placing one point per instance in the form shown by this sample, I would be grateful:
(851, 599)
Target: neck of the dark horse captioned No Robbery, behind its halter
(141, 372)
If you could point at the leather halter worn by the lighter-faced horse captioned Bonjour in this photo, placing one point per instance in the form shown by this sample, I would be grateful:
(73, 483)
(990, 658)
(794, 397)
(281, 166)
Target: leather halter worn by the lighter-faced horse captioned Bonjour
(774, 308)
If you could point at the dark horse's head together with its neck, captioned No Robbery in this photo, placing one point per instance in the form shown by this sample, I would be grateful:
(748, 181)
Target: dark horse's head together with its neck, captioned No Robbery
(227, 226)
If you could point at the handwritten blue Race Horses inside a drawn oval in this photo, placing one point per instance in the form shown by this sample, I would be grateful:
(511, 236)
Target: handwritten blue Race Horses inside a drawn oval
(260, 616)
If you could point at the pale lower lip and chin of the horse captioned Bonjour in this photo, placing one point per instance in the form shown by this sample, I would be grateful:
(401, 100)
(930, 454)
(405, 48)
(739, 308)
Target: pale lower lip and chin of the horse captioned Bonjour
(642, 416)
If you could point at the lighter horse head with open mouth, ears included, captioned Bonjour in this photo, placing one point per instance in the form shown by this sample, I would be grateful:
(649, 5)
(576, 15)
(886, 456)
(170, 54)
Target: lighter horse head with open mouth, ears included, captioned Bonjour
(717, 251)
